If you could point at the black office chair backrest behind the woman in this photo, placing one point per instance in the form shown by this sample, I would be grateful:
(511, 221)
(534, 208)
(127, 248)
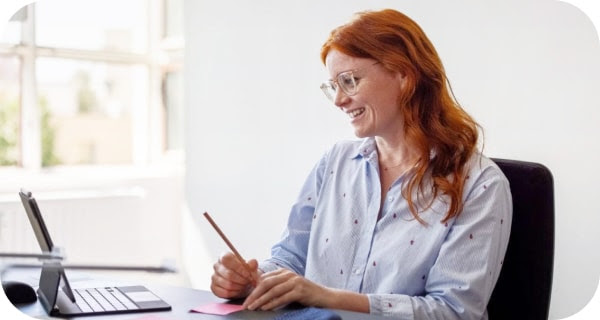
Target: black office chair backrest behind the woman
(525, 283)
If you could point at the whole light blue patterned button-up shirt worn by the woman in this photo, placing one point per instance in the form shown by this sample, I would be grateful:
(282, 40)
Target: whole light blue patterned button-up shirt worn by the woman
(408, 270)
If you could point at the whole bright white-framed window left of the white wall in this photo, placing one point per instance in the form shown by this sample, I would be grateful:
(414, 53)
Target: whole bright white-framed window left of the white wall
(78, 88)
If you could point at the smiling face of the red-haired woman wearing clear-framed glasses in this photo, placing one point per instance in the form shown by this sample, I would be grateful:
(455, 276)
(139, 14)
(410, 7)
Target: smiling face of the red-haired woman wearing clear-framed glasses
(374, 109)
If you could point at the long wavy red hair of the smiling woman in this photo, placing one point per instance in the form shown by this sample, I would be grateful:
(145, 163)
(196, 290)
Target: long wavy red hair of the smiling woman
(443, 133)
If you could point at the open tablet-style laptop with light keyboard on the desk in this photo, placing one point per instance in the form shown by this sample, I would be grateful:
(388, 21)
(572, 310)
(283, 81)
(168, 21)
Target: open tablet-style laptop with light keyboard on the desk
(59, 299)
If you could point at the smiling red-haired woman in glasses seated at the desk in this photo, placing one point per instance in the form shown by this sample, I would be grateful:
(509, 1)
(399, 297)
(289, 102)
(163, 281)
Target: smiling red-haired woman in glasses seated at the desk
(410, 221)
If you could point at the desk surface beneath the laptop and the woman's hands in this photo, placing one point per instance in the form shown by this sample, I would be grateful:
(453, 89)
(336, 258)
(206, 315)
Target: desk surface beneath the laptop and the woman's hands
(182, 300)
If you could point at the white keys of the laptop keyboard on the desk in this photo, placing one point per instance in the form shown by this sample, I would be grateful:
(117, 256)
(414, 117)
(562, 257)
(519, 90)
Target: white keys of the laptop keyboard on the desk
(102, 299)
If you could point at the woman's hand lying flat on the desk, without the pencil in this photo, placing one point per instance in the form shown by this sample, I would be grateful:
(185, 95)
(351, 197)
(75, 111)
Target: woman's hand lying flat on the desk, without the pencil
(281, 287)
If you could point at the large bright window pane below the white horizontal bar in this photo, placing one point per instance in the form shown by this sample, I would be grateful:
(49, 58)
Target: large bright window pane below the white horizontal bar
(89, 109)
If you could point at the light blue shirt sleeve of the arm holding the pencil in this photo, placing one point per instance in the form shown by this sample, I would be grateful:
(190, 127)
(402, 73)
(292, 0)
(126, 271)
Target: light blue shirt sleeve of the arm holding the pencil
(291, 251)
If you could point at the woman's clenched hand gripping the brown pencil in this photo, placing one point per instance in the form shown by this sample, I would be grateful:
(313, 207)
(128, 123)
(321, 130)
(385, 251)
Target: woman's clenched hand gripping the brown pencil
(231, 279)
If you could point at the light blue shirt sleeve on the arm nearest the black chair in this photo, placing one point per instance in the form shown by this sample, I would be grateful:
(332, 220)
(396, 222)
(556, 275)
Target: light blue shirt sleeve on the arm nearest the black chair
(461, 281)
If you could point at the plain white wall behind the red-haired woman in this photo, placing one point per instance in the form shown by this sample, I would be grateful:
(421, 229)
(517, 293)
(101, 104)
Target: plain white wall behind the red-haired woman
(528, 71)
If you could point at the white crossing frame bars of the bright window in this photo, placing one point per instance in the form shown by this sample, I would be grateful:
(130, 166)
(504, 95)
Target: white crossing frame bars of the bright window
(148, 125)
